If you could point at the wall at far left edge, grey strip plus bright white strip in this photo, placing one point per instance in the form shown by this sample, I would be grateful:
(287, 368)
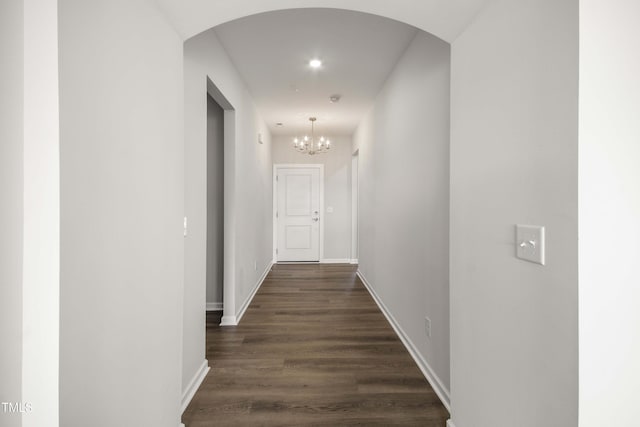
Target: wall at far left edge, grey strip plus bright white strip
(29, 217)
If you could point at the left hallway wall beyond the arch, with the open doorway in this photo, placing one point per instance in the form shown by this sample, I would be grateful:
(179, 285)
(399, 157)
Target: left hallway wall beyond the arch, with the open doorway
(247, 197)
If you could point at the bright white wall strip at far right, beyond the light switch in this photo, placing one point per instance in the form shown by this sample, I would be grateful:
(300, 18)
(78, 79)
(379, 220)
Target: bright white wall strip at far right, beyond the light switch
(609, 184)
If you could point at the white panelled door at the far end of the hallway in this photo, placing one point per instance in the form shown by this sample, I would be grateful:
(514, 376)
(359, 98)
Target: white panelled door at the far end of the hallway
(298, 213)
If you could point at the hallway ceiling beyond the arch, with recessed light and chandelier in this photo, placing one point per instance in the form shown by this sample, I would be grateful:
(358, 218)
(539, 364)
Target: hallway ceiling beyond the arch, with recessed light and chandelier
(271, 52)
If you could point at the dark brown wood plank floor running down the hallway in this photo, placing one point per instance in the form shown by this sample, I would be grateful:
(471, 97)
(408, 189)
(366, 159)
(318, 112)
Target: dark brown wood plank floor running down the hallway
(312, 349)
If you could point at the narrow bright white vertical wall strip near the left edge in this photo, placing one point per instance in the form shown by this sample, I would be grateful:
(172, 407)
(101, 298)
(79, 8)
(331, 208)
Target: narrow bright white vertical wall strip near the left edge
(41, 227)
